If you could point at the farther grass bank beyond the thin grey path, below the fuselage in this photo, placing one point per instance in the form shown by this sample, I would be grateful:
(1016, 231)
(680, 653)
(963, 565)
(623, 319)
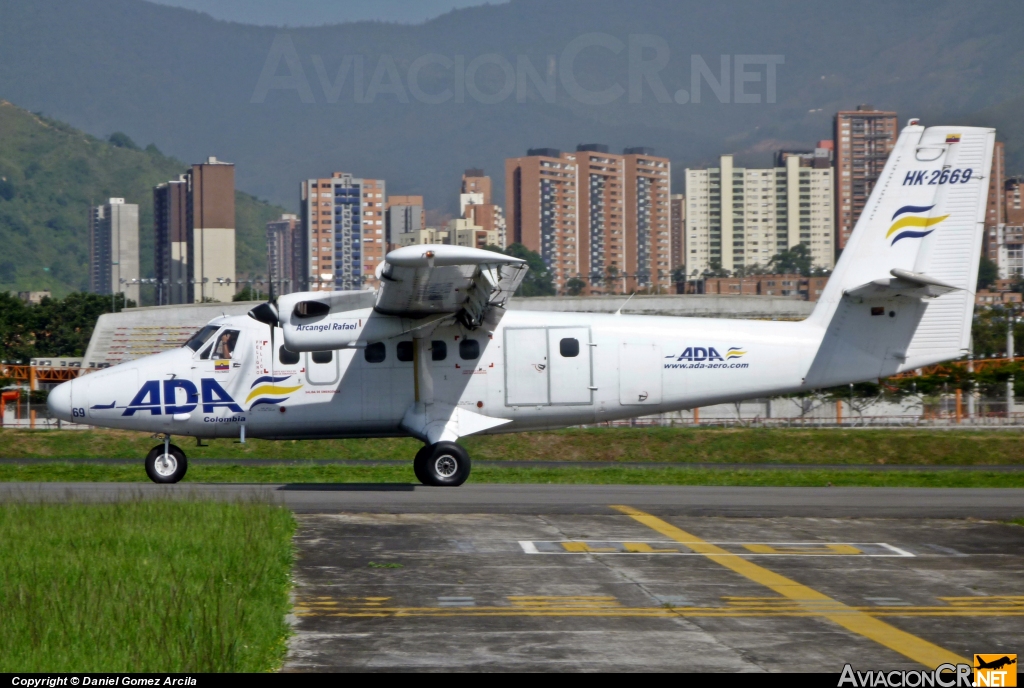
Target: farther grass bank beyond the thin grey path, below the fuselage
(738, 446)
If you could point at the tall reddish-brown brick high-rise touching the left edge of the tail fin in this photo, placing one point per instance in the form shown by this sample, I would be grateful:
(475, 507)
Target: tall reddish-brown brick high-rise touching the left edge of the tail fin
(864, 140)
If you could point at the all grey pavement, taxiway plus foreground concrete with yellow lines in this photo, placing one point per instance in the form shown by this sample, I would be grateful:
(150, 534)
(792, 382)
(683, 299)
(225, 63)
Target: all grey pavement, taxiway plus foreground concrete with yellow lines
(621, 578)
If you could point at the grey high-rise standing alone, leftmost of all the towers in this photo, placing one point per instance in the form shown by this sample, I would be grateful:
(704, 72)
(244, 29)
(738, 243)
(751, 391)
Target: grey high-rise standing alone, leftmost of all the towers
(114, 249)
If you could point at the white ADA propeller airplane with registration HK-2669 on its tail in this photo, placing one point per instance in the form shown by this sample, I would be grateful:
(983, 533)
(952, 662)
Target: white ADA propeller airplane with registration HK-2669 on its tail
(434, 355)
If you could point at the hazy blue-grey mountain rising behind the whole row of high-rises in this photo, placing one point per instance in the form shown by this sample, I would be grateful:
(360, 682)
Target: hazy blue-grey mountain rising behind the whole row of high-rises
(190, 83)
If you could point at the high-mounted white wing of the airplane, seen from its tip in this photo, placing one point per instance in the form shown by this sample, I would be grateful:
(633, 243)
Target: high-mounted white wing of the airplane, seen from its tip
(434, 280)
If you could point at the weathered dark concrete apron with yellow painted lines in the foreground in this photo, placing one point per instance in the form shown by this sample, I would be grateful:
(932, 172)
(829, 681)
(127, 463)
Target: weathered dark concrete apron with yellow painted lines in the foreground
(446, 592)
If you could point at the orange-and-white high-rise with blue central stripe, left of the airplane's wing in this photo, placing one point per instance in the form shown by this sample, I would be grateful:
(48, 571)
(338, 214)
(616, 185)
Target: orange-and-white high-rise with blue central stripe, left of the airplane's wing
(344, 238)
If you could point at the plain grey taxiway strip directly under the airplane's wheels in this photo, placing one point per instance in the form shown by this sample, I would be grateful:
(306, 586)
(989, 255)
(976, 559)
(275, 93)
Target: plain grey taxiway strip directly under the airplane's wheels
(533, 499)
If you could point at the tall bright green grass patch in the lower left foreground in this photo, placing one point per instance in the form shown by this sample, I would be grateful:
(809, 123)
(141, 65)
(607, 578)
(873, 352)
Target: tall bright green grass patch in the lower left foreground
(144, 587)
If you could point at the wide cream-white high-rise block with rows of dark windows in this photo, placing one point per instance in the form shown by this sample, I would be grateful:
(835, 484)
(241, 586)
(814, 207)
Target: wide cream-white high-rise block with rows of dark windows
(738, 220)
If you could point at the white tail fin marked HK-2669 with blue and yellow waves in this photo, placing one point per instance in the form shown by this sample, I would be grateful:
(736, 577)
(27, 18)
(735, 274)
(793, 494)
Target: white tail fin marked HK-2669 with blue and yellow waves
(903, 292)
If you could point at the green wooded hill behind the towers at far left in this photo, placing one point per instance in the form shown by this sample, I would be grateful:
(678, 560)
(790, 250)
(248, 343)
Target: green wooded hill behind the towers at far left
(51, 174)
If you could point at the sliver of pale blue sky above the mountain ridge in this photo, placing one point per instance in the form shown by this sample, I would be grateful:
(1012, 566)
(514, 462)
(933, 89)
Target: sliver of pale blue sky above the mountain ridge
(319, 13)
